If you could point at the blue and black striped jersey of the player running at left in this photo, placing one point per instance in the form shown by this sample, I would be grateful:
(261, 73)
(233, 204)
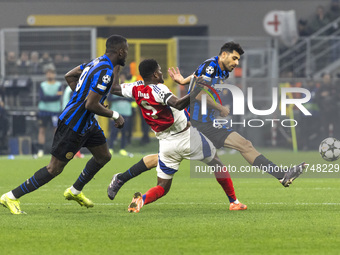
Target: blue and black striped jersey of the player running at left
(97, 76)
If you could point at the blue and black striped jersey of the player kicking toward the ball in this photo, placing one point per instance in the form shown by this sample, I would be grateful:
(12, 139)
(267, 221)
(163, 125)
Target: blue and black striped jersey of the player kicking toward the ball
(211, 69)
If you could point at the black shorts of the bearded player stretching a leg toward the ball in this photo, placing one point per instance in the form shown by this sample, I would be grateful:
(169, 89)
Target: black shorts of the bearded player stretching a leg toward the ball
(216, 135)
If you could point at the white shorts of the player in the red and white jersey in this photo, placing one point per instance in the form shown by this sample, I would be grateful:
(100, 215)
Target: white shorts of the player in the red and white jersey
(190, 144)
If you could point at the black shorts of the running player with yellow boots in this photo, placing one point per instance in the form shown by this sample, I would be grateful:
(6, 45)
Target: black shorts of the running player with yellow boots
(67, 142)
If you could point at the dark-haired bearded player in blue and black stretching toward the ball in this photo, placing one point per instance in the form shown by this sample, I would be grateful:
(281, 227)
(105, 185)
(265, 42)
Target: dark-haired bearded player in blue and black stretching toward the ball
(216, 70)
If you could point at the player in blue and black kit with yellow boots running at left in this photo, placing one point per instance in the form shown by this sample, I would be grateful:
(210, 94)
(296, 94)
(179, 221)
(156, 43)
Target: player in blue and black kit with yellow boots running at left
(77, 126)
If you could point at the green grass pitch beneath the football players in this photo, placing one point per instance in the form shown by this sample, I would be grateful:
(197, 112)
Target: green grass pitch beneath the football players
(192, 219)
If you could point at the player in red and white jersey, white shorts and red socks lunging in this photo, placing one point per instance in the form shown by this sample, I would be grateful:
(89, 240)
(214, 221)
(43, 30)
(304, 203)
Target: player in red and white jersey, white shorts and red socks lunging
(163, 112)
